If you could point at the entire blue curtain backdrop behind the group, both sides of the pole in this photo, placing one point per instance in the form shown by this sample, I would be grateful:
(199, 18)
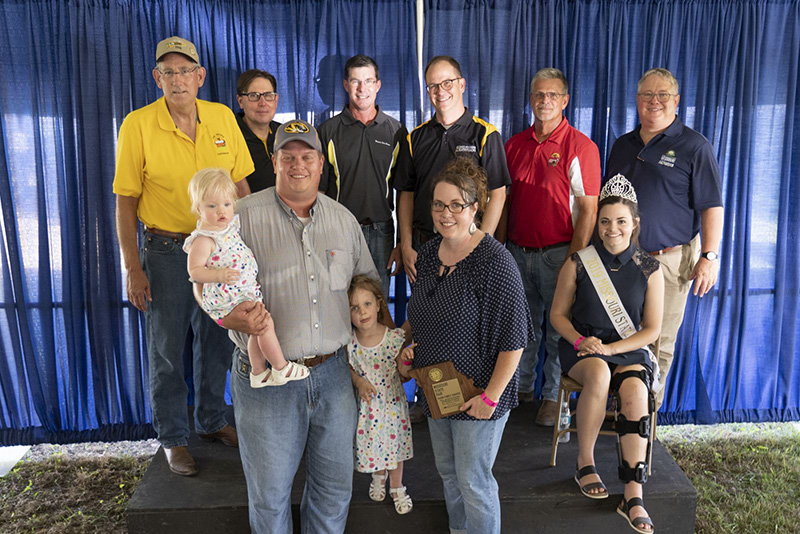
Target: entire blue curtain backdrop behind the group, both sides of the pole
(72, 364)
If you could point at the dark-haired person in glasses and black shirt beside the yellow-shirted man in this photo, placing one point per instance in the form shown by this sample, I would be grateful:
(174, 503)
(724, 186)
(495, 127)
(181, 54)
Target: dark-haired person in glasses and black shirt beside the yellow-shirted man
(257, 96)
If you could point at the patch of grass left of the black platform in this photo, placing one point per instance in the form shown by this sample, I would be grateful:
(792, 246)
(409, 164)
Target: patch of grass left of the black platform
(64, 496)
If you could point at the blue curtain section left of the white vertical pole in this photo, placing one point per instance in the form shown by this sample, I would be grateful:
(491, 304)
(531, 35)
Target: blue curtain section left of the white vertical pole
(72, 361)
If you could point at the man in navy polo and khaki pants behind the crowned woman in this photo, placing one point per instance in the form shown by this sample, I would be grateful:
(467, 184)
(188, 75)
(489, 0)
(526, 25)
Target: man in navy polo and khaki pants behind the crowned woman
(677, 180)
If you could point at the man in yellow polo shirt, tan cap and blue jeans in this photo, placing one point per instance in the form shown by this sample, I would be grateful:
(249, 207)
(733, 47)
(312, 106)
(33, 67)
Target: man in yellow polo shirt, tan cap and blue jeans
(160, 147)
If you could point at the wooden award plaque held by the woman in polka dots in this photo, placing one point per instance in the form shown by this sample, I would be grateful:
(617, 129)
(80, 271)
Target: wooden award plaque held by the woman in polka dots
(446, 389)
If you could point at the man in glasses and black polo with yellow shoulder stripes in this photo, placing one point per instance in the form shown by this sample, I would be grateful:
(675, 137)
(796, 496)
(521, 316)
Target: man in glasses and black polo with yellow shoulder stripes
(452, 131)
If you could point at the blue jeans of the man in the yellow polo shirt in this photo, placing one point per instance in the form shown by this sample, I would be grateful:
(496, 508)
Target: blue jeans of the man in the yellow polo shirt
(168, 318)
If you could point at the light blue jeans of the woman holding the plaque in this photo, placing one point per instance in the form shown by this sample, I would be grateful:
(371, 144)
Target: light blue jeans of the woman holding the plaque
(464, 452)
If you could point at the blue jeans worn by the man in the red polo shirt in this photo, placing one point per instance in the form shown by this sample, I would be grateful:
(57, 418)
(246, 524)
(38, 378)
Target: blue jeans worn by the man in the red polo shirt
(539, 272)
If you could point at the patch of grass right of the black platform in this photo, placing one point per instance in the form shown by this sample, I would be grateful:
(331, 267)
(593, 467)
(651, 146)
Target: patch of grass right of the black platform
(747, 475)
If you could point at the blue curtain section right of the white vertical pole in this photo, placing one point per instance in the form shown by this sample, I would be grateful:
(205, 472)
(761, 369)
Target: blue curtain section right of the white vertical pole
(737, 63)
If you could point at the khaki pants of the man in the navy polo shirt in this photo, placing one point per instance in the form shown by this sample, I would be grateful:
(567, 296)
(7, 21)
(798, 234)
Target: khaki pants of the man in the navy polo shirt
(677, 266)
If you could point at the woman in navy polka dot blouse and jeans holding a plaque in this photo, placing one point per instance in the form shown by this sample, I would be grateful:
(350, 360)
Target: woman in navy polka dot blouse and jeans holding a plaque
(468, 306)
